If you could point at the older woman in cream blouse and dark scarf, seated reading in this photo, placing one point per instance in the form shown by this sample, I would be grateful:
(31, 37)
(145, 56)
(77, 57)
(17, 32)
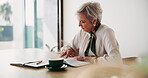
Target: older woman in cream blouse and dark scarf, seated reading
(95, 42)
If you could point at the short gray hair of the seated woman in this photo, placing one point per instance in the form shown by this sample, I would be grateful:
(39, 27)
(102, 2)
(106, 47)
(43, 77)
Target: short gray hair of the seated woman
(92, 10)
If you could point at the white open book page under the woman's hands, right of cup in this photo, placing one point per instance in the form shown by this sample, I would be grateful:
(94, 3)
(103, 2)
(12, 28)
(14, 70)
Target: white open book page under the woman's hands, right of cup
(74, 62)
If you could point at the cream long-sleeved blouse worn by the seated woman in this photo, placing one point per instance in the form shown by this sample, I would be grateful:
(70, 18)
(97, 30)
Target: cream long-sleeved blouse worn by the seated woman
(107, 48)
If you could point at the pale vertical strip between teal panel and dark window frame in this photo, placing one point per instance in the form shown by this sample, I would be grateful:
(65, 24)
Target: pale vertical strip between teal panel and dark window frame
(50, 23)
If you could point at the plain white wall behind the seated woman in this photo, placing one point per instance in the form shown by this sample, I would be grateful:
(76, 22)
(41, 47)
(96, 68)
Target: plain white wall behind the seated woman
(128, 18)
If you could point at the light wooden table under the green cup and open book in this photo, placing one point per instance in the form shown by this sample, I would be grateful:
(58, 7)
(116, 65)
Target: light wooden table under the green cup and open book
(8, 71)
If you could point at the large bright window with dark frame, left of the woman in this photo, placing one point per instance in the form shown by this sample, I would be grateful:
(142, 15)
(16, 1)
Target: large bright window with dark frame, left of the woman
(34, 23)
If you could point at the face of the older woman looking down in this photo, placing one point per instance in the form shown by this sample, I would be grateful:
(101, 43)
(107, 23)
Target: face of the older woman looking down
(84, 23)
